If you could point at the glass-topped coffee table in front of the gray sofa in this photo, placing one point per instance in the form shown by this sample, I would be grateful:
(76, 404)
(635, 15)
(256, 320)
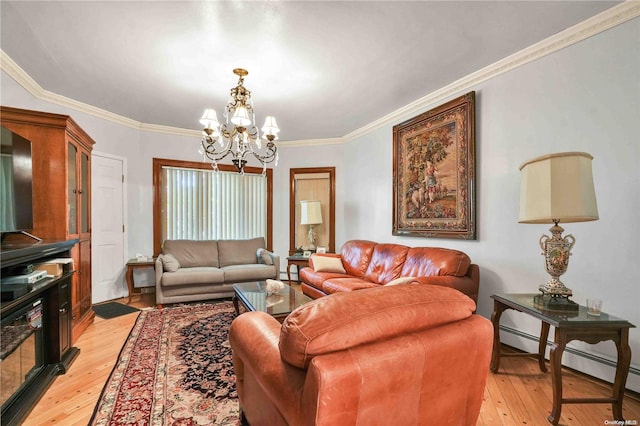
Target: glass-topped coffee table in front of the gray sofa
(254, 297)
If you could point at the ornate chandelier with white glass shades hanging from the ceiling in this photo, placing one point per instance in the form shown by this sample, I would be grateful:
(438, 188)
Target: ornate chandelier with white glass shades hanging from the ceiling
(238, 136)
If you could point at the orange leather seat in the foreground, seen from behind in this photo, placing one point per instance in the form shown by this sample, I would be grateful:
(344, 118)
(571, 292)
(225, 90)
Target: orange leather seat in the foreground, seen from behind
(400, 355)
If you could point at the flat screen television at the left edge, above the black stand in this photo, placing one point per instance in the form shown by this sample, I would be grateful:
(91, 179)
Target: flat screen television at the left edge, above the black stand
(16, 183)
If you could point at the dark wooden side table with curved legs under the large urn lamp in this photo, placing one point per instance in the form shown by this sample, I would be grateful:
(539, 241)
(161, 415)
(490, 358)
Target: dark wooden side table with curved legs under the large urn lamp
(569, 325)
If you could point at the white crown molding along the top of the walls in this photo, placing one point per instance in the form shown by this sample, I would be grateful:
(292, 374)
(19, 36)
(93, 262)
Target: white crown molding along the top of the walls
(612, 17)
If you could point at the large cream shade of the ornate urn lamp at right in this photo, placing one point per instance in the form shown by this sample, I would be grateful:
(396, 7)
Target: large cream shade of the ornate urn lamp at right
(558, 188)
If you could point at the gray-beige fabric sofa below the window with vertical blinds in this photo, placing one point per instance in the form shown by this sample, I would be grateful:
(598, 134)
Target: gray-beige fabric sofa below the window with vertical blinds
(189, 270)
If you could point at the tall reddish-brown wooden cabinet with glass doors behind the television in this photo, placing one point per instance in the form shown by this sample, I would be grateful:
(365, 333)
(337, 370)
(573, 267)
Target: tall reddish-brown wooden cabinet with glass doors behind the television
(61, 156)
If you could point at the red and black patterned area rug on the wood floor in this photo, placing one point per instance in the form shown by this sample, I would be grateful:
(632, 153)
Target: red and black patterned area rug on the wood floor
(174, 369)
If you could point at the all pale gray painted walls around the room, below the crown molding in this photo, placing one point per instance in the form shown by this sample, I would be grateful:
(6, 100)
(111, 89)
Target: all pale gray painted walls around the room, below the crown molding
(583, 98)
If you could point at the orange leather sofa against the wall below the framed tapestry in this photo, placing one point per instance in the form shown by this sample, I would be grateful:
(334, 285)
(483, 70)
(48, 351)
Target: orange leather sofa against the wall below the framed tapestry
(367, 264)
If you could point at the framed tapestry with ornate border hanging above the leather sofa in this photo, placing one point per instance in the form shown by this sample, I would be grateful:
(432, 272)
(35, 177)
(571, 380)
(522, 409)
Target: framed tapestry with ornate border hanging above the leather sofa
(434, 172)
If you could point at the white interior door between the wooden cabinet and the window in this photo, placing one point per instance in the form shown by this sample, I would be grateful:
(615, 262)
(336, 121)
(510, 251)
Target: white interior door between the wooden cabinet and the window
(107, 234)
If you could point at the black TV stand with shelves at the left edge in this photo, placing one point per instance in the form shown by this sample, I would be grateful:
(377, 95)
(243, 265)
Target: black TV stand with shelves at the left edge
(49, 351)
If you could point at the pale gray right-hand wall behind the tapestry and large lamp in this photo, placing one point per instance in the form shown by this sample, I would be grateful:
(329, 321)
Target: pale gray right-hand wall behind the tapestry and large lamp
(582, 98)
